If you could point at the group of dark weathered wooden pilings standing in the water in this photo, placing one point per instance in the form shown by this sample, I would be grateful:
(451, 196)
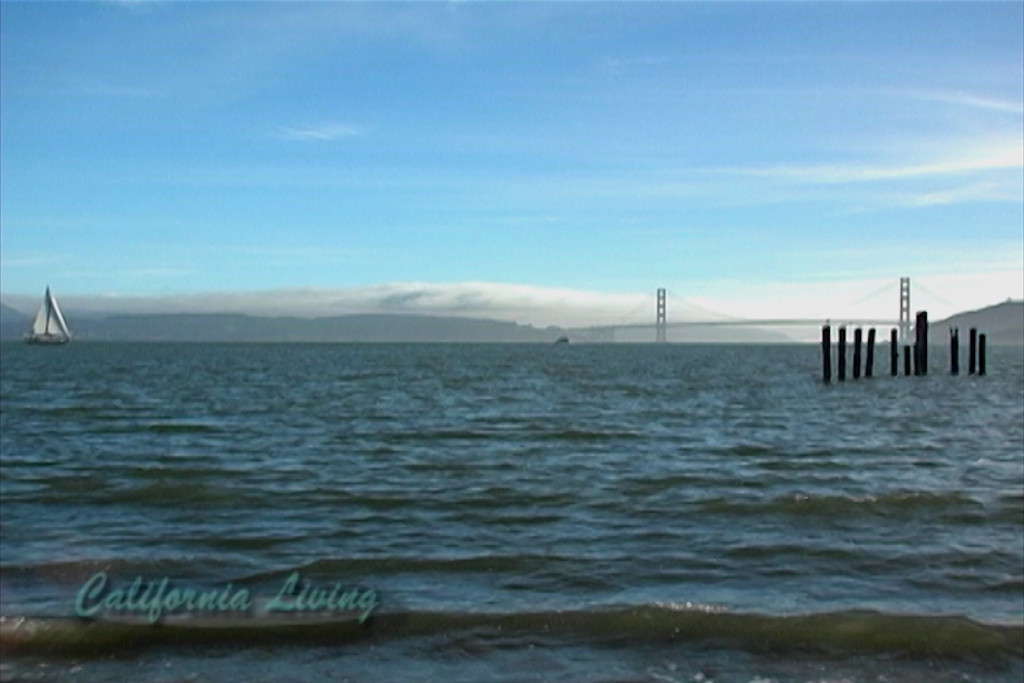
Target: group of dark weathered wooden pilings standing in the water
(915, 358)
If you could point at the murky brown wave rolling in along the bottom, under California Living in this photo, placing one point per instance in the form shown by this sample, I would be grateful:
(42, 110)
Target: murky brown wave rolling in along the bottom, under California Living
(841, 633)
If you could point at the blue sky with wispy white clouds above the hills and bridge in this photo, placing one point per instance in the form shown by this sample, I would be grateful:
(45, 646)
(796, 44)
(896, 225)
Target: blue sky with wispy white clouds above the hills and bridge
(549, 163)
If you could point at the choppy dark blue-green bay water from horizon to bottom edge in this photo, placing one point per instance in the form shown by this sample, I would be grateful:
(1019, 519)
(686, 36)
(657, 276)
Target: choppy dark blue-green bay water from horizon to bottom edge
(506, 514)
